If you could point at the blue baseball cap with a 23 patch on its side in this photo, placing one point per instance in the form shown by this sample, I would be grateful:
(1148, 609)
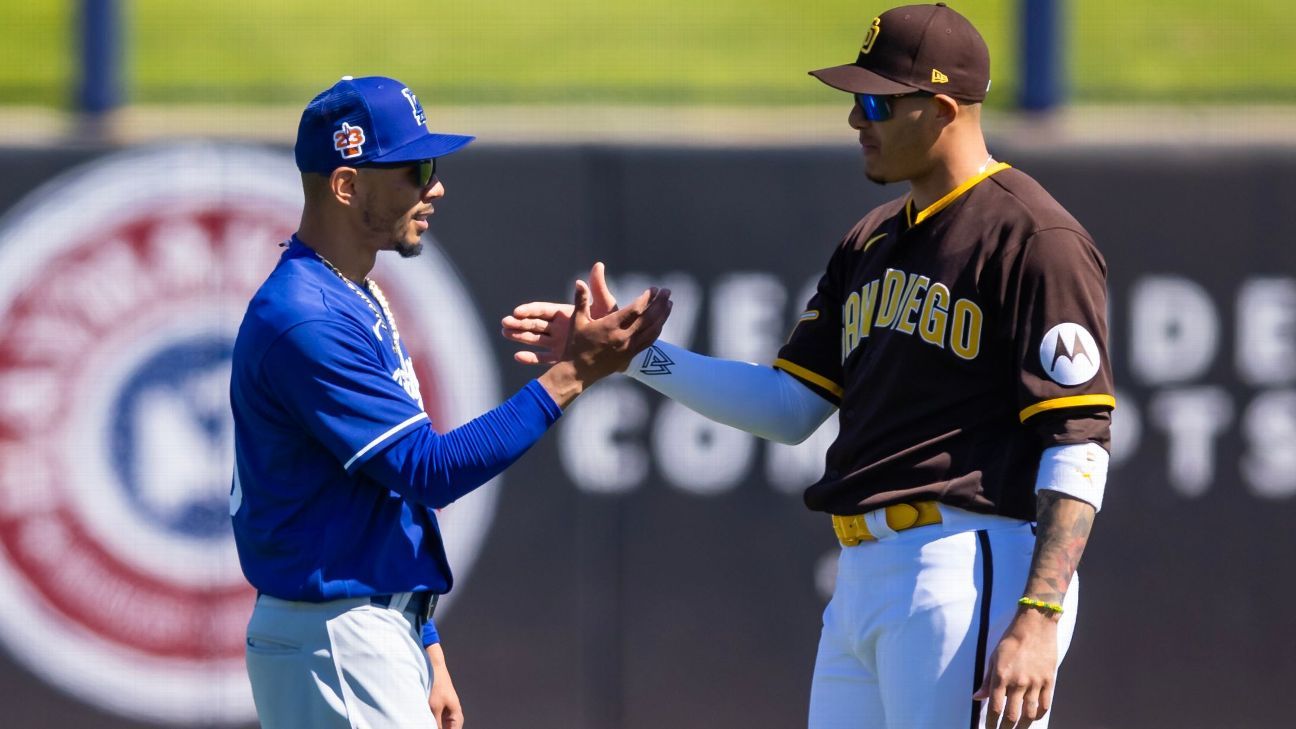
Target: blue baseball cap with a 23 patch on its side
(367, 120)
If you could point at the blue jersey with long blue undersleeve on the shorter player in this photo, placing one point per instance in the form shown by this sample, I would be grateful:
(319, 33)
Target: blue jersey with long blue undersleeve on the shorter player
(338, 468)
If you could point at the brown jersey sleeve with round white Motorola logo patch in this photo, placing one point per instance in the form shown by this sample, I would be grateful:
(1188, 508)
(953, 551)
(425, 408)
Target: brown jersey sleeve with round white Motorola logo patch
(1057, 316)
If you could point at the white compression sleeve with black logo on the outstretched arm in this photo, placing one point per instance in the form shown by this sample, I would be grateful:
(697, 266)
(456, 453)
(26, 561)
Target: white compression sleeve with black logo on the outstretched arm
(758, 399)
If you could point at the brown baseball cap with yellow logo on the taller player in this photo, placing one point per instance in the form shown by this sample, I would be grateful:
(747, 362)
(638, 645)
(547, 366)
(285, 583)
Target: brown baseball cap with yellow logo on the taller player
(917, 49)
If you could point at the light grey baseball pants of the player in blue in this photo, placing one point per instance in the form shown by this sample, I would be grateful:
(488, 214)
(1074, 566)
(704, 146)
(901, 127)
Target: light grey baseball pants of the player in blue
(338, 665)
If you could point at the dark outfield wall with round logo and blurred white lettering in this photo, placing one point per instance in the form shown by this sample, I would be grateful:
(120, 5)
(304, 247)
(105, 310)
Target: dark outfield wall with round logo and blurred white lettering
(641, 568)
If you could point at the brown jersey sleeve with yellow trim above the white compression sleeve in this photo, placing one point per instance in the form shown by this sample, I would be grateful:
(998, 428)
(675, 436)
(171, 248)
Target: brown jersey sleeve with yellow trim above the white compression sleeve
(813, 352)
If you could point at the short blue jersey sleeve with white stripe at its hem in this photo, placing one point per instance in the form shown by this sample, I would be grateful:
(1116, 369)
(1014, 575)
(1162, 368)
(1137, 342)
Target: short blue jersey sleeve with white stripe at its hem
(331, 381)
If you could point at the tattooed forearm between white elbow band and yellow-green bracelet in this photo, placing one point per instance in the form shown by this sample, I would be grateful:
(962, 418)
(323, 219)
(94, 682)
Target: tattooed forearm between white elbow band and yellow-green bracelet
(1061, 538)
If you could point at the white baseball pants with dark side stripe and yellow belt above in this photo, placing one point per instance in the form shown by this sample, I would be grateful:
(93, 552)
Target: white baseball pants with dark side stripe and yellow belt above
(914, 619)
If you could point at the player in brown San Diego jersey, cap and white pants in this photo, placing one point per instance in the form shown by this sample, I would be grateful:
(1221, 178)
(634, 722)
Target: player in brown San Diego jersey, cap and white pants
(961, 331)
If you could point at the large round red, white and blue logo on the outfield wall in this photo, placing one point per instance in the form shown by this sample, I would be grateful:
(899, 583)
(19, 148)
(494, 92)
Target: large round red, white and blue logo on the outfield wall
(119, 573)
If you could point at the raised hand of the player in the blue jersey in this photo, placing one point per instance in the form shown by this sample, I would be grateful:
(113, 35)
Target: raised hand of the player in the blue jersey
(599, 347)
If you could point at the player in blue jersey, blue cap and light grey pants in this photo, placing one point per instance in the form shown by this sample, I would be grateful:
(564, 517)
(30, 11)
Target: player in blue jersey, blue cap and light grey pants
(339, 470)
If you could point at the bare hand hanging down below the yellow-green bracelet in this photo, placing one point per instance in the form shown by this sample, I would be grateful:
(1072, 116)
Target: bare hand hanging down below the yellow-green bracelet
(1019, 680)
